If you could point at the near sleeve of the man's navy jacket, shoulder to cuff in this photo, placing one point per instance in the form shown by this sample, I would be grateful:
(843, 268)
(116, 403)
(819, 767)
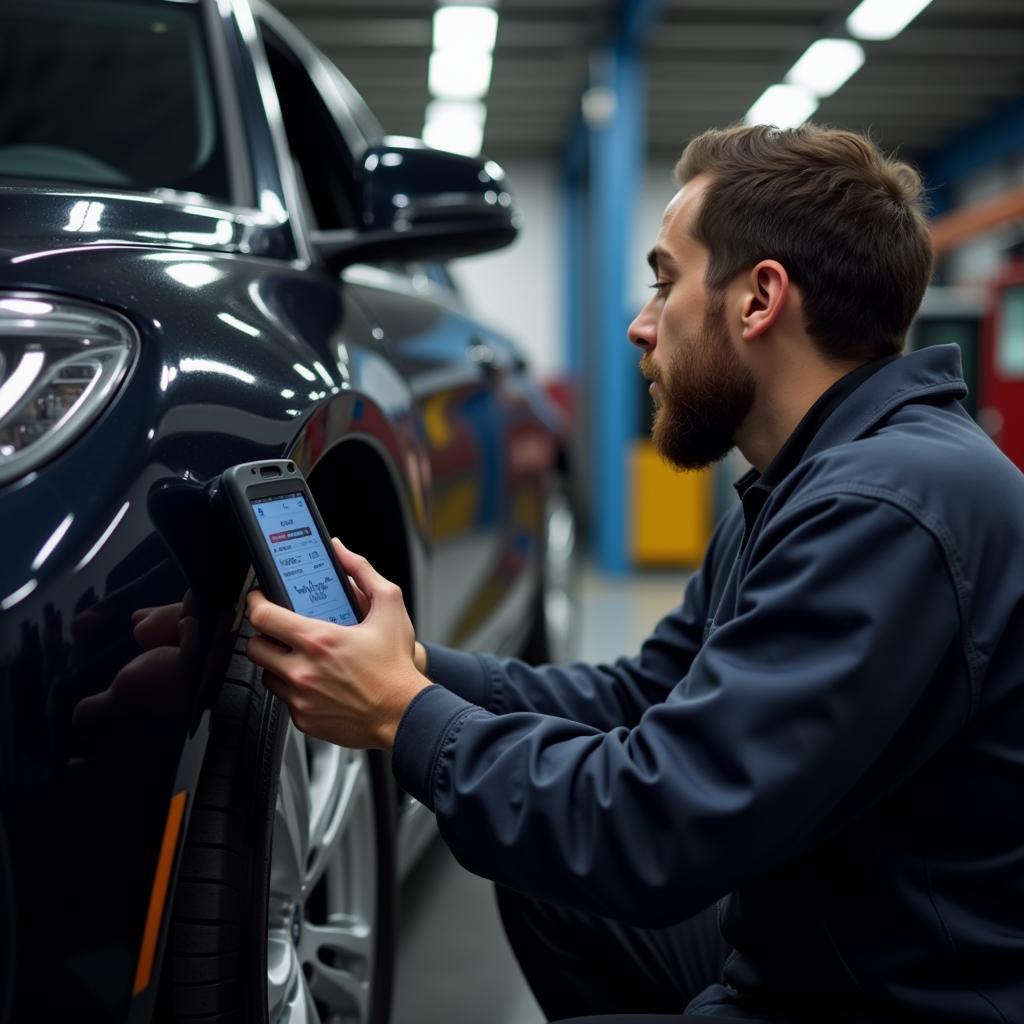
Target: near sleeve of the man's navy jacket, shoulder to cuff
(843, 619)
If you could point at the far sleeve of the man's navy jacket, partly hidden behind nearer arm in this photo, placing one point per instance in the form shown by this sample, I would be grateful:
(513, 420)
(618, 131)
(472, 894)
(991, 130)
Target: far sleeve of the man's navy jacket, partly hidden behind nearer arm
(602, 696)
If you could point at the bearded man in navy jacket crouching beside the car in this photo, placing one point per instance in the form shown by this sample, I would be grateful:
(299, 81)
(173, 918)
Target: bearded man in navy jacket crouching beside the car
(822, 751)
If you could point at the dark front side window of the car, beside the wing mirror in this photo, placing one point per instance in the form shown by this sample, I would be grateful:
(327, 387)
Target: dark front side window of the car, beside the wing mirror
(324, 163)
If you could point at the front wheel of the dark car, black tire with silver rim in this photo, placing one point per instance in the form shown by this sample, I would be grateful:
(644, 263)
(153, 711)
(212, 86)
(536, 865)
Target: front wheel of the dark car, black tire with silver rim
(284, 909)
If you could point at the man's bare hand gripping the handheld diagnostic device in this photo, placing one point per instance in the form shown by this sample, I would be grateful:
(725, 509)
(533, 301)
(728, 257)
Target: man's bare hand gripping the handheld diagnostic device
(349, 685)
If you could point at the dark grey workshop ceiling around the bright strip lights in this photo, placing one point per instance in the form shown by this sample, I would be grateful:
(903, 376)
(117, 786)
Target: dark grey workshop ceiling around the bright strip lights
(708, 61)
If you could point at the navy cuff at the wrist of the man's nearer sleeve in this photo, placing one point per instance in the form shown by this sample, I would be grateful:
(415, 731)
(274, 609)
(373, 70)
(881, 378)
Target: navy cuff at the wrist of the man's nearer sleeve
(429, 721)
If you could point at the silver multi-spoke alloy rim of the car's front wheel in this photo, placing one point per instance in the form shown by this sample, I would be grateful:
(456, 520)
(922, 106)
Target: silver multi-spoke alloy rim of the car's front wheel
(323, 899)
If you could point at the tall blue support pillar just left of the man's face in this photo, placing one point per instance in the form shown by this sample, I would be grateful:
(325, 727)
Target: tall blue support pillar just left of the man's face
(603, 181)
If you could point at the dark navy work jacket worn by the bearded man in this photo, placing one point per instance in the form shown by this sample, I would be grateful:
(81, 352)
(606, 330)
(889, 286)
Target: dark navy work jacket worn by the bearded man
(827, 737)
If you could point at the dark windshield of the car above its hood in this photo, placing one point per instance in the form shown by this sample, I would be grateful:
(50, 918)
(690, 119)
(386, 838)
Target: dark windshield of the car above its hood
(115, 94)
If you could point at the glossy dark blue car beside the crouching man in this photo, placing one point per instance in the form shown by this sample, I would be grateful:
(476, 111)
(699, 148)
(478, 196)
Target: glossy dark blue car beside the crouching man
(190, 198)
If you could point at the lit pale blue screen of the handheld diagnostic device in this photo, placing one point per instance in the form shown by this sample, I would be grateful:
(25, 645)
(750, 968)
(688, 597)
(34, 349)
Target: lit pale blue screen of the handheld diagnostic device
(302, 559)
